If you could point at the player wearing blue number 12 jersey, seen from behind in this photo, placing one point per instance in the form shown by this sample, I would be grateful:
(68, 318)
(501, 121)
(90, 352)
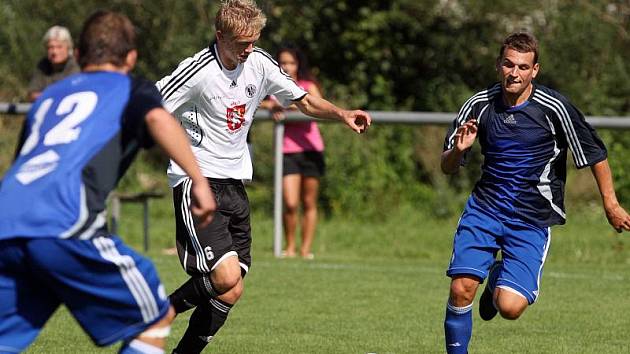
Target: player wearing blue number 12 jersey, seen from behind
(78, 140)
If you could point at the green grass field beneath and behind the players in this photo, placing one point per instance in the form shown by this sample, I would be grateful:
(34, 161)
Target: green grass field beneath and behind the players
(379, 287)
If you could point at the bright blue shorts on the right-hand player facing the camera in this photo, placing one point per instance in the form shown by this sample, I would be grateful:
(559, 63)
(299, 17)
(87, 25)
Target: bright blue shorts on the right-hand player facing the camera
(482, 233)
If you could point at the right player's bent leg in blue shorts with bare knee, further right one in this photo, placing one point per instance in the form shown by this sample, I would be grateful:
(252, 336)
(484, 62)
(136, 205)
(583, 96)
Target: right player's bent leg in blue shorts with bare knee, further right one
(524, 252)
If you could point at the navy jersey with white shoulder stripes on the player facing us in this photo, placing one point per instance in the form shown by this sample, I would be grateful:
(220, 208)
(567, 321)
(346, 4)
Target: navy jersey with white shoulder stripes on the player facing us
(525, 150)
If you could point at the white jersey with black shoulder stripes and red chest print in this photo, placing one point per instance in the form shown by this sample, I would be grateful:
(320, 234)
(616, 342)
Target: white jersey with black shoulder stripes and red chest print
(216, 107)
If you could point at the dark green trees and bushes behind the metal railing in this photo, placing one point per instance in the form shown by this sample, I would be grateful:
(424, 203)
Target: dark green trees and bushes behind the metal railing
(421, 55)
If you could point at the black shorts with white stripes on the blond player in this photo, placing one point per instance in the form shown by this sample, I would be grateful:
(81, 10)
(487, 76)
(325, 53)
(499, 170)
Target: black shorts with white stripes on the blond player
(229, 232)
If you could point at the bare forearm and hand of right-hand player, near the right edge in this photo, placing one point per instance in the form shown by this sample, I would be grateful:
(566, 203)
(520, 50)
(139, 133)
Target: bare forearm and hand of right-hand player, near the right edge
(616, 214)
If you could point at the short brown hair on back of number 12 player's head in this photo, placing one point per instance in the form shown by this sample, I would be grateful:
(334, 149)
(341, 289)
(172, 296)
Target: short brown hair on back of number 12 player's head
(107, 37)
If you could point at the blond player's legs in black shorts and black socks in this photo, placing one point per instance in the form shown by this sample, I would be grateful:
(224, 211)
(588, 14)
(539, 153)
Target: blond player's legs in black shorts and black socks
(214, 293)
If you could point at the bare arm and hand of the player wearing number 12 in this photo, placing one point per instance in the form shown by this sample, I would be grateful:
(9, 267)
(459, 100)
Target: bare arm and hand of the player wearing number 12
(169, 135)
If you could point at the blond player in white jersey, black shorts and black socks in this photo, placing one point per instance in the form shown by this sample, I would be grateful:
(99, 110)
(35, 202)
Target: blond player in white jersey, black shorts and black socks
(215, 94)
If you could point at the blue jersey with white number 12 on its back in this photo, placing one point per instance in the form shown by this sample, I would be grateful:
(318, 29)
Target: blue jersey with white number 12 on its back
(78, 140)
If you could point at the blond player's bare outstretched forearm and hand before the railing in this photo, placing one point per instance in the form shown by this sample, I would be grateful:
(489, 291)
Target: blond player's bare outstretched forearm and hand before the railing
(318, 107)
